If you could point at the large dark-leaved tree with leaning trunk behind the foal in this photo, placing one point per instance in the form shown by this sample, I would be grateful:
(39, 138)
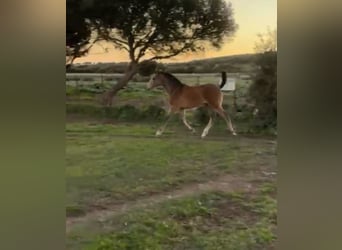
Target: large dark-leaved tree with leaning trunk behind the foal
(158, 29)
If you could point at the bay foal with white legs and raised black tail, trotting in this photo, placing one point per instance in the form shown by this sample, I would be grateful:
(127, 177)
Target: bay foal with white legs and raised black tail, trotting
(183, 97)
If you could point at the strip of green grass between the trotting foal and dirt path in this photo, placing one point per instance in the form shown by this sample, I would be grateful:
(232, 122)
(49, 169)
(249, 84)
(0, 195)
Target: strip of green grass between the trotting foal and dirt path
(113, 163)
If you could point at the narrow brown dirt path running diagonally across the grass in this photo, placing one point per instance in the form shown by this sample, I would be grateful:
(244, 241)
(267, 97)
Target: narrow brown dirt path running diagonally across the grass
(227, 183)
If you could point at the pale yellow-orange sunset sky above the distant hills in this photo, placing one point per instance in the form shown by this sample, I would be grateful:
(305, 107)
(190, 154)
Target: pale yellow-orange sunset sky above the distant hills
(252, 17)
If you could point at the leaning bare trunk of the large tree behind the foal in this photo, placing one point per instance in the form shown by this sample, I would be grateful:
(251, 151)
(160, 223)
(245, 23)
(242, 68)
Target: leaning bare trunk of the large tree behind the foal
(131, 70)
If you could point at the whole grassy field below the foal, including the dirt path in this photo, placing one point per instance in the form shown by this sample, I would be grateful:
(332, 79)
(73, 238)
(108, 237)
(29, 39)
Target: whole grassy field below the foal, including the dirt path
(127, 189)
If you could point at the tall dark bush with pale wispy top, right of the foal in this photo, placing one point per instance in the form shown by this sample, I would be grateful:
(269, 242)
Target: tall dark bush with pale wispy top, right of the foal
(263, 90)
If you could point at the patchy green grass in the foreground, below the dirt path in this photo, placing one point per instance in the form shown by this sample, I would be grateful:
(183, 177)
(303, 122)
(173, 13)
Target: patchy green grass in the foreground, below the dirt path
(213, 220)
